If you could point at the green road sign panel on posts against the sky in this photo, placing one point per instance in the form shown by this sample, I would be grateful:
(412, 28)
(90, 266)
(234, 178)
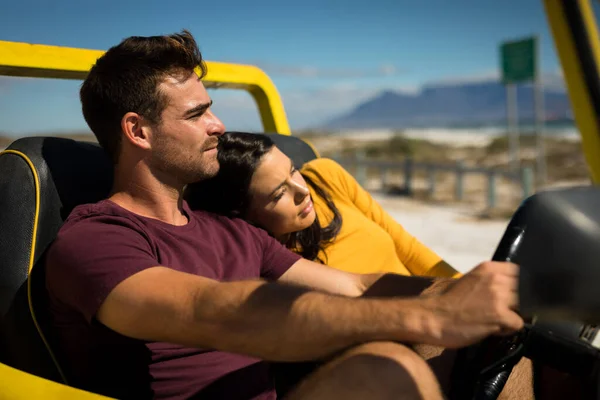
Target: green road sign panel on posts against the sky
(518, 60)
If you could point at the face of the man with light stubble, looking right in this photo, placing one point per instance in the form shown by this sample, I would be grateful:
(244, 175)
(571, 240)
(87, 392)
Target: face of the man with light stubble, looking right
(184, 143)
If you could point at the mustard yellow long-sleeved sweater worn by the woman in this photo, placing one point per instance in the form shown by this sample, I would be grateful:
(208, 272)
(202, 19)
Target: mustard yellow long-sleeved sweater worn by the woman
(370, 240)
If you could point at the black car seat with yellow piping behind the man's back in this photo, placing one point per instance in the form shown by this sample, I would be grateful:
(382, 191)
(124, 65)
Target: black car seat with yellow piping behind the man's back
(41, 180)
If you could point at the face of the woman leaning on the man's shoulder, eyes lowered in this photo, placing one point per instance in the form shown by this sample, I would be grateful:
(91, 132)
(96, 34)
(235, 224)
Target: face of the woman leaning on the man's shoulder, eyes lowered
(279, 198)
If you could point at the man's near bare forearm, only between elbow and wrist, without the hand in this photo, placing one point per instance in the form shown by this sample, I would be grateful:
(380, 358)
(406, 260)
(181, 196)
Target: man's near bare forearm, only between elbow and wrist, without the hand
(286, 323)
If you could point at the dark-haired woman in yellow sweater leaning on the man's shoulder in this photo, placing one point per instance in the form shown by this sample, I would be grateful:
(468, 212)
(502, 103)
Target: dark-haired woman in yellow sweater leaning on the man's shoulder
(320, 211)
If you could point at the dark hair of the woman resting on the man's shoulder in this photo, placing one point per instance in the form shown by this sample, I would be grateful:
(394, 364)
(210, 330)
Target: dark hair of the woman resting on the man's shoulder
(239, 154)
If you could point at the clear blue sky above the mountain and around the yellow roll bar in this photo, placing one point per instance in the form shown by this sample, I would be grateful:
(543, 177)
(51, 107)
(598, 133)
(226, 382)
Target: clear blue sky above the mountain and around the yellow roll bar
(324, 56)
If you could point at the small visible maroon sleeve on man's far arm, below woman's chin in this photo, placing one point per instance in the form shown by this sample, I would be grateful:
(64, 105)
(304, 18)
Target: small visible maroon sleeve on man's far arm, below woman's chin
(276, 258)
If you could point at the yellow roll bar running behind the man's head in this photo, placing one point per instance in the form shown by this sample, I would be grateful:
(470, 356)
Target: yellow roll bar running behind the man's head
(43, 61)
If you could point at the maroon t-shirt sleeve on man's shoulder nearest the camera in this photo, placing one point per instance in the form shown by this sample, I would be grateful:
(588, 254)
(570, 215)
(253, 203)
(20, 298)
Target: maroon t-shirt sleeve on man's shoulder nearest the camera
(88, 260)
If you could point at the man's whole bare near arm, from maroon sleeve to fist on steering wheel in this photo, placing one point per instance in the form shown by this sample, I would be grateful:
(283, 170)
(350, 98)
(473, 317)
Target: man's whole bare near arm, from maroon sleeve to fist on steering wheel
(283, 322)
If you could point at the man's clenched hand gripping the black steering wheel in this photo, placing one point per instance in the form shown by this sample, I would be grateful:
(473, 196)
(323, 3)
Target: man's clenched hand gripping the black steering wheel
(481, 303)
